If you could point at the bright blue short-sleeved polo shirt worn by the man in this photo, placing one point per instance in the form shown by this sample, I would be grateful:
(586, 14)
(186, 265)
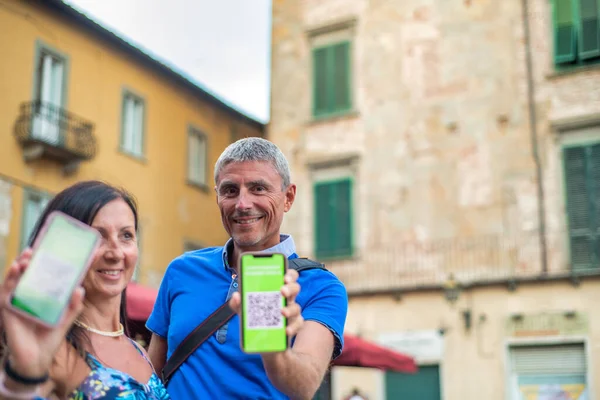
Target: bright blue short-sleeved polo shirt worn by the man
(197, 283)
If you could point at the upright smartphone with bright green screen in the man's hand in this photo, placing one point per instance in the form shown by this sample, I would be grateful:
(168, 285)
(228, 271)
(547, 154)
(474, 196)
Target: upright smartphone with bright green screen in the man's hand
(262, 325)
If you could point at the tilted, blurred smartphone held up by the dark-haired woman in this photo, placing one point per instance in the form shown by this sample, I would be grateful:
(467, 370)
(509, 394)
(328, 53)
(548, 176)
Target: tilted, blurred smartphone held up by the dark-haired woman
(62, 254)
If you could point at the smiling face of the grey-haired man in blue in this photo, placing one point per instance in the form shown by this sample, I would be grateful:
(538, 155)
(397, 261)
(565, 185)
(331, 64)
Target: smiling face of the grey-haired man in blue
(252, 203)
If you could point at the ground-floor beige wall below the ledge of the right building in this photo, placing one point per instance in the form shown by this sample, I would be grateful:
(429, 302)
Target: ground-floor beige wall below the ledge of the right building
(474, 362)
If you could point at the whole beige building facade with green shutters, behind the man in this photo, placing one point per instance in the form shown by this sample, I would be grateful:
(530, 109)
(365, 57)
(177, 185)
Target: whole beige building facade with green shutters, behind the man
(447, 155)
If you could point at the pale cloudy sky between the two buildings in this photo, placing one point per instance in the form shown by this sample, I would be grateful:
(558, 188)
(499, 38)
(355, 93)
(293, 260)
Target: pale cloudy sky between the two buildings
(223, 45)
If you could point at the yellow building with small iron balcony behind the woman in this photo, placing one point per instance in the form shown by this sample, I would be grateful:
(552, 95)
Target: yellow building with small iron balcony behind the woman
(79, 102)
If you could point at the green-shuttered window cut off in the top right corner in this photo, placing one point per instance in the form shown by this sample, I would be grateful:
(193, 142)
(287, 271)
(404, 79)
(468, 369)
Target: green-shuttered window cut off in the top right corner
(576, 32)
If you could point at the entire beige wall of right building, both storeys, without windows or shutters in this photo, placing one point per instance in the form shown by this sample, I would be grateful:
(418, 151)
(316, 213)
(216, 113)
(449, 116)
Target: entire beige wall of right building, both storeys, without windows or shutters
(439, 145)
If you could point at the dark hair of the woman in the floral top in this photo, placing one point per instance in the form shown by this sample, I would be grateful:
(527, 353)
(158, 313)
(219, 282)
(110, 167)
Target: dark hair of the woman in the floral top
(82, 201)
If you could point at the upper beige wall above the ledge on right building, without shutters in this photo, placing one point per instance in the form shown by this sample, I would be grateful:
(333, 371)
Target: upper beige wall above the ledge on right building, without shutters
(440, 128)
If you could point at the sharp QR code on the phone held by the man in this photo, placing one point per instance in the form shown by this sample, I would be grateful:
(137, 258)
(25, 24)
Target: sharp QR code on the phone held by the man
(264, 310)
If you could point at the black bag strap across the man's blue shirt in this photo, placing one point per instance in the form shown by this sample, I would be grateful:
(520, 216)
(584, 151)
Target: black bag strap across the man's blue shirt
(214, 321)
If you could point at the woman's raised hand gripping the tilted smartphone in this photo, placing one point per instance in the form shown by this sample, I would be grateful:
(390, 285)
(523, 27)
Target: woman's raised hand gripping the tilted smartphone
(32, 346)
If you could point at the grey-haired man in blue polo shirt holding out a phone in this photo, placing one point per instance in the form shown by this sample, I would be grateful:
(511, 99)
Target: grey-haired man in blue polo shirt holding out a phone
(254, 191)
